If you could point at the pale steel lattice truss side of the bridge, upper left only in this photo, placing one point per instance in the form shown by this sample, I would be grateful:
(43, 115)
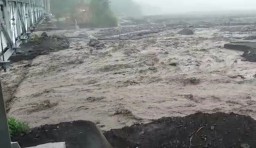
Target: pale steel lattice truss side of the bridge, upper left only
(17, 19)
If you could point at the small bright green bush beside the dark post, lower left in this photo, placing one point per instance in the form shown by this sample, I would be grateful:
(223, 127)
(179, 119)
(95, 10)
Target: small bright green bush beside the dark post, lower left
(17, 127)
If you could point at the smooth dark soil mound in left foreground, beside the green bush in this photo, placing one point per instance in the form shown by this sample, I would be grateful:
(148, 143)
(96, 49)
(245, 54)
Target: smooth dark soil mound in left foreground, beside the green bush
(79, 134)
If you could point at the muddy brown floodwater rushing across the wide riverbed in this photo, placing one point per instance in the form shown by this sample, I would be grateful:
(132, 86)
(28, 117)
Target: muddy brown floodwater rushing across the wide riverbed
(136, 75)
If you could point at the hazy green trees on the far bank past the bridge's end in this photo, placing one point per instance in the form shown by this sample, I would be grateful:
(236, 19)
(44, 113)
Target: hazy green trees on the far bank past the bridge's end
(101, 14)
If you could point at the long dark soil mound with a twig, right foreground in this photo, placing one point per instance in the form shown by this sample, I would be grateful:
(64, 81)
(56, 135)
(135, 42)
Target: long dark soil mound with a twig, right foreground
(196, 131)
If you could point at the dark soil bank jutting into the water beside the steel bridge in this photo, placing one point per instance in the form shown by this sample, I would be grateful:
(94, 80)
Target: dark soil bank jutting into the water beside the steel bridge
(40, 46)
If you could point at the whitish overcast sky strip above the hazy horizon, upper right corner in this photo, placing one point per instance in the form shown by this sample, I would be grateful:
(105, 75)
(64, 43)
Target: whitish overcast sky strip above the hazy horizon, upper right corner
(182, 6)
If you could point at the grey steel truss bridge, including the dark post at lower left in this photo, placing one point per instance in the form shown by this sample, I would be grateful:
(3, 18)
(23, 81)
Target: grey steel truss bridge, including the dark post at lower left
(18, 18)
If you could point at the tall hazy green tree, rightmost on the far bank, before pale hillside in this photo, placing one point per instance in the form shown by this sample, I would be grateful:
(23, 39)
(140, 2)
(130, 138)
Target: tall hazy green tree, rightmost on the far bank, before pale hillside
(102, 16)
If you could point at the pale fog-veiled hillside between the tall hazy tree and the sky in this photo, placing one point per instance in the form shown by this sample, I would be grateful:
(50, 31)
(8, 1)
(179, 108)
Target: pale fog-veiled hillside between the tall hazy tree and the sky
(126, 8)
